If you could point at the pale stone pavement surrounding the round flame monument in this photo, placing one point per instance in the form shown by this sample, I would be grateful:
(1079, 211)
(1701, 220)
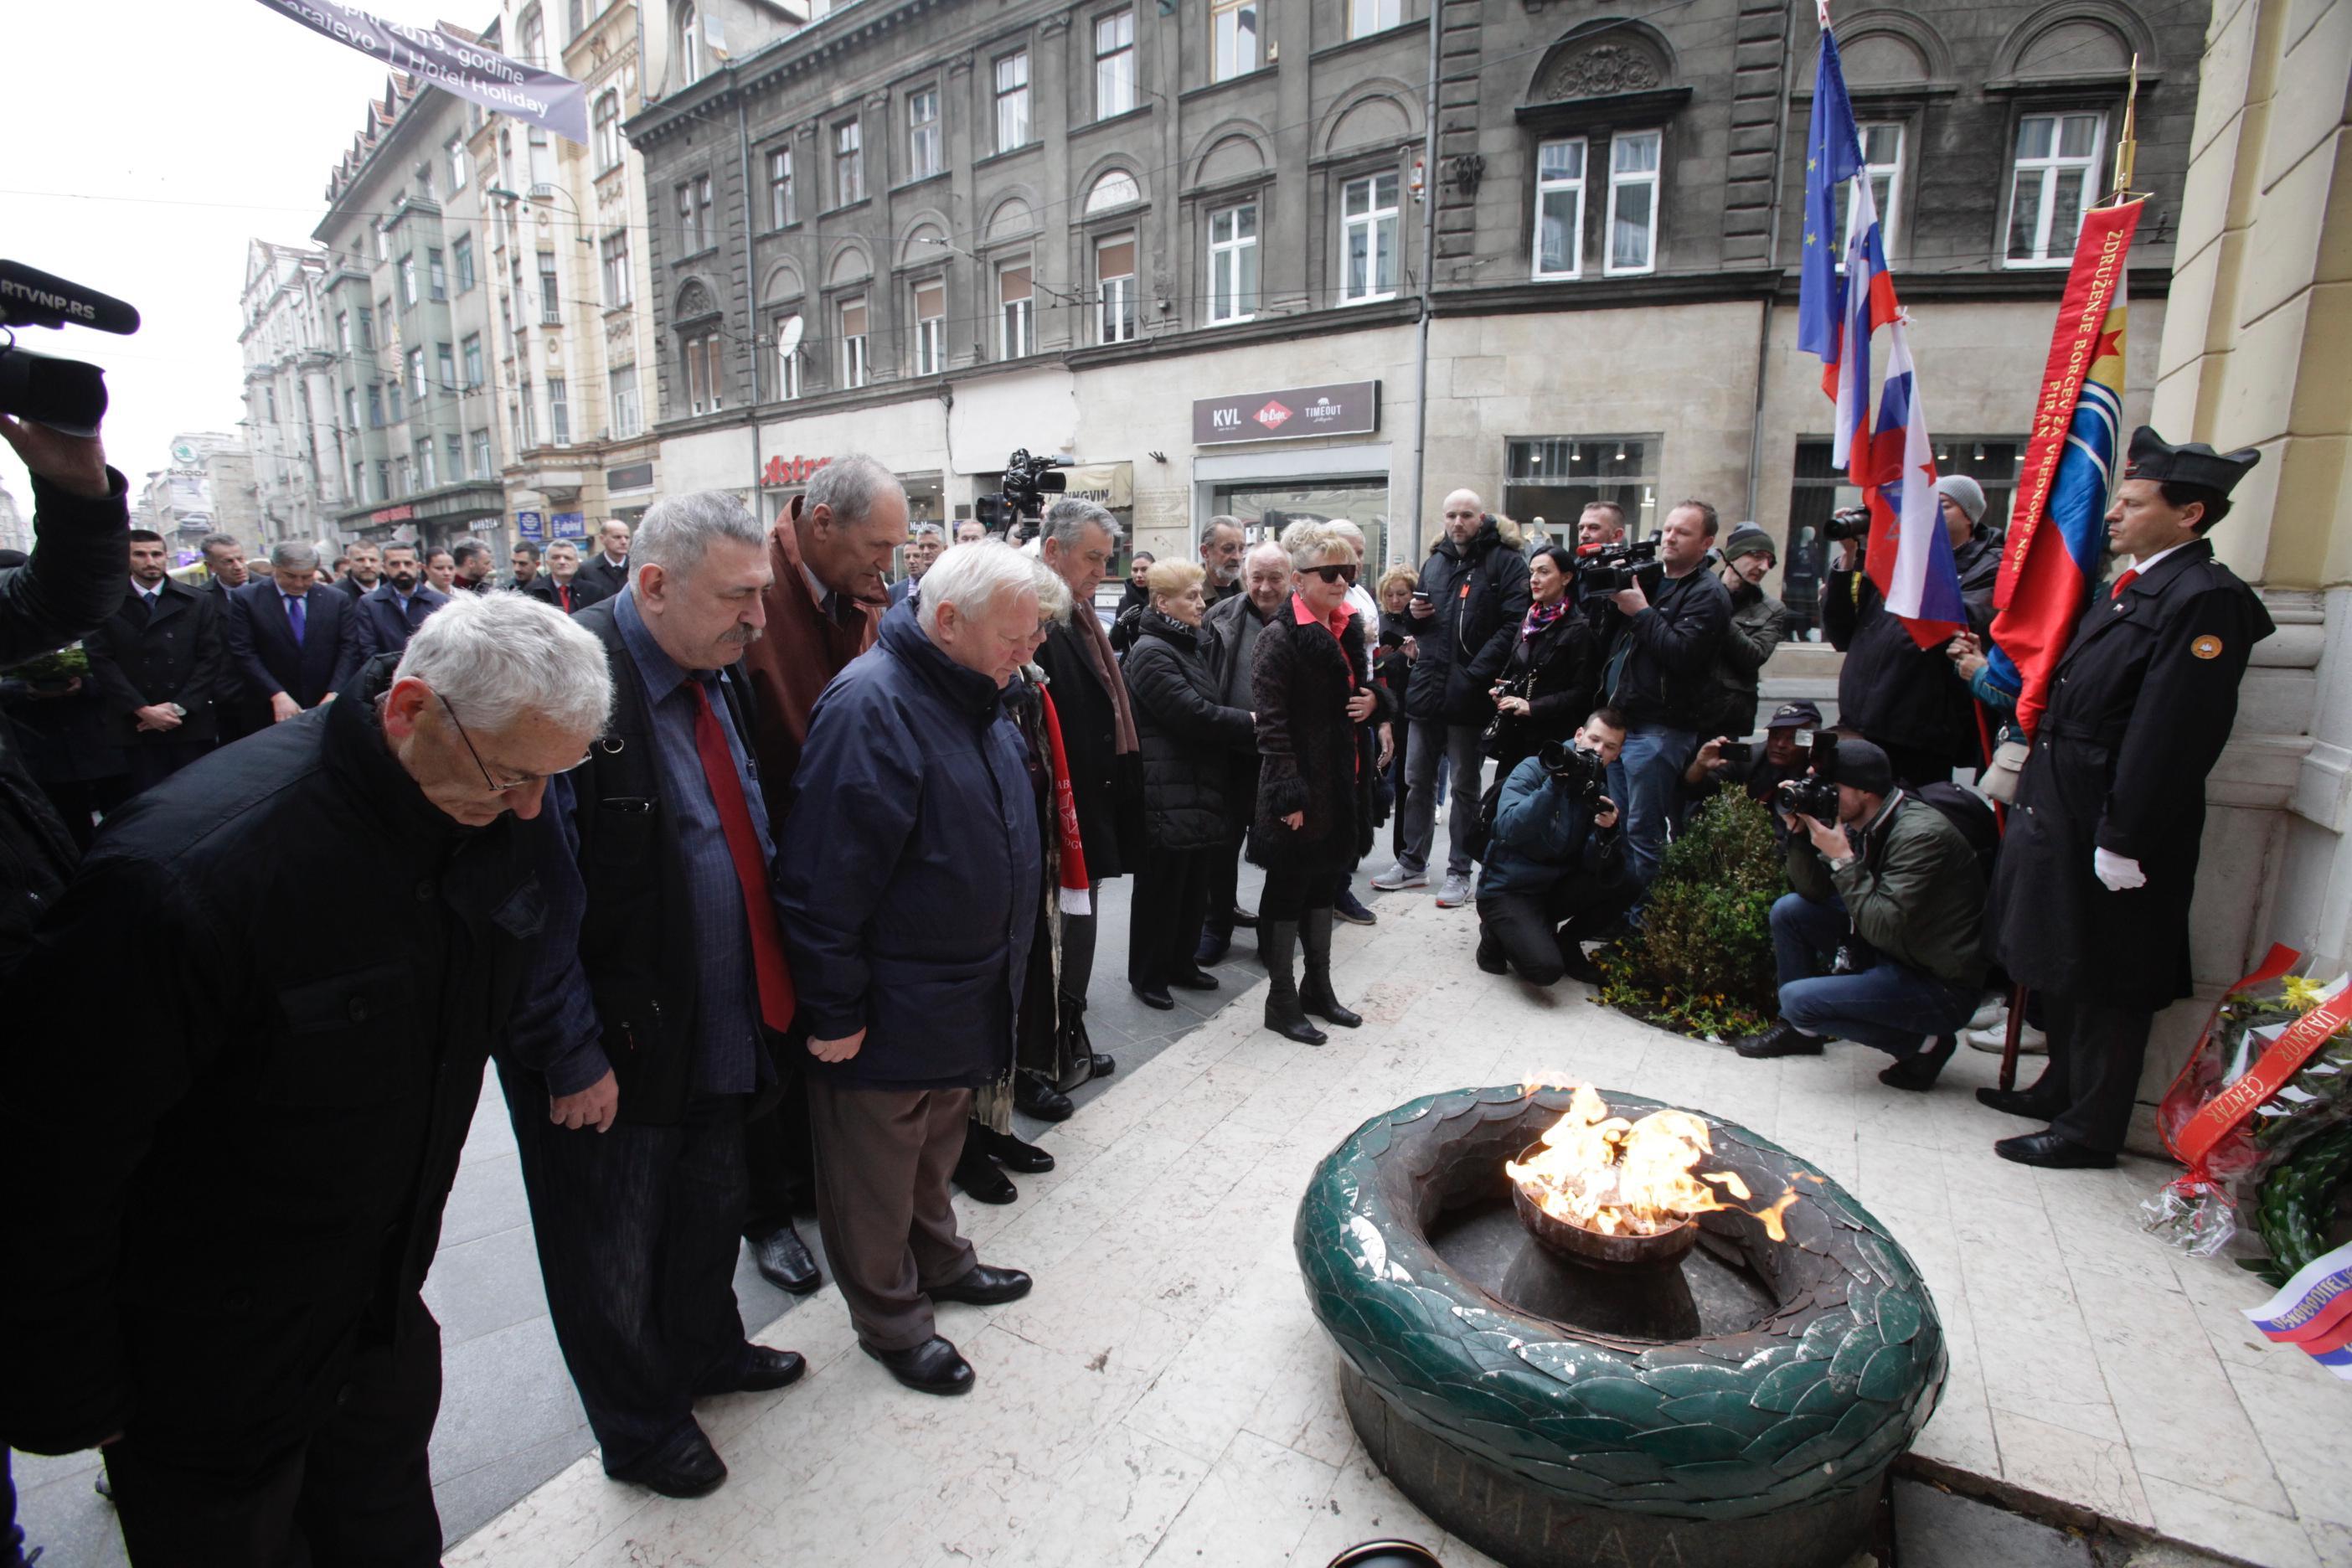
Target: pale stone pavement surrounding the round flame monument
(1165, 1395)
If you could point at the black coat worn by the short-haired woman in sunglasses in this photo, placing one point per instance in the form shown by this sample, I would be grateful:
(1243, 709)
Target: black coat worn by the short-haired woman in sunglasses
(1311, 756)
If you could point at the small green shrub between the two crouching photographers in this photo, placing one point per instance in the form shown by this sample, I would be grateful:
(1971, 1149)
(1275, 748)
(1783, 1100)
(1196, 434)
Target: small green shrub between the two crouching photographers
(1704, 956)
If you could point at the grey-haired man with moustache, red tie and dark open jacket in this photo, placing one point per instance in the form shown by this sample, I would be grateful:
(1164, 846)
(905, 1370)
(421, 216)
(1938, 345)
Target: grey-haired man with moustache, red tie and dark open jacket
(669, 951)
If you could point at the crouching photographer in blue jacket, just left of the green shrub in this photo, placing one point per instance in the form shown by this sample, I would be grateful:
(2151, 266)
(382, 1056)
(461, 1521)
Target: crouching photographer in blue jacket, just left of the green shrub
(1556, 866)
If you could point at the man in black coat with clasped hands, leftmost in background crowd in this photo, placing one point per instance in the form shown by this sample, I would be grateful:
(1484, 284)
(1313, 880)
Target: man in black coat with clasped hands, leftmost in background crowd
(161, 664)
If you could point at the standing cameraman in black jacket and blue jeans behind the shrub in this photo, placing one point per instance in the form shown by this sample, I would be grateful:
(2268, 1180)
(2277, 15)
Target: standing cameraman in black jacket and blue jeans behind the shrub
(1666, 629)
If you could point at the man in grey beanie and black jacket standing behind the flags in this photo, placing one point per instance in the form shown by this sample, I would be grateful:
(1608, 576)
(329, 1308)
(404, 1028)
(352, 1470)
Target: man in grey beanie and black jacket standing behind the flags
(1892, 690)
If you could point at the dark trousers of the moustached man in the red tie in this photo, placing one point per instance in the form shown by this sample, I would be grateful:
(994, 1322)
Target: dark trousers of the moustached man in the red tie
(639, 1247)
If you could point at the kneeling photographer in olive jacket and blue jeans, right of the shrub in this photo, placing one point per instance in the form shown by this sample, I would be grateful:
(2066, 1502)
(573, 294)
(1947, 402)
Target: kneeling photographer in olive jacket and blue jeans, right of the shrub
(1890, 887)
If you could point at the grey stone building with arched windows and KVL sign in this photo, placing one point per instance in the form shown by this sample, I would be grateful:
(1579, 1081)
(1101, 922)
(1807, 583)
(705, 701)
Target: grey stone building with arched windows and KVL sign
(942, 232)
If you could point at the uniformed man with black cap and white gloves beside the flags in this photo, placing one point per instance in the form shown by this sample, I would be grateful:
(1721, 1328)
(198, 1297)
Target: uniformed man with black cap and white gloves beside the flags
(2092, 894)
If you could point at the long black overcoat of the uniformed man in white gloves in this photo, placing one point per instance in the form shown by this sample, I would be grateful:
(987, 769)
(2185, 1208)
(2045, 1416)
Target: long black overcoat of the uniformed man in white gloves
(2139, 711)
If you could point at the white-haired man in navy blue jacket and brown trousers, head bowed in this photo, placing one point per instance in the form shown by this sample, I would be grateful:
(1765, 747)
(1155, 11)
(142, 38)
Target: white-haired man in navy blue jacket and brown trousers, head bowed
(914, 869)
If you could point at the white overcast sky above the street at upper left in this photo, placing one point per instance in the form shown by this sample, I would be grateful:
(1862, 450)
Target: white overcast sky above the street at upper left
(147, 142)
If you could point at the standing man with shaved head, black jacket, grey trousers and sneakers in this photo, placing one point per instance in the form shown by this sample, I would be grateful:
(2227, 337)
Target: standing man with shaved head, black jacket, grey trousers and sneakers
(1466, 617)
